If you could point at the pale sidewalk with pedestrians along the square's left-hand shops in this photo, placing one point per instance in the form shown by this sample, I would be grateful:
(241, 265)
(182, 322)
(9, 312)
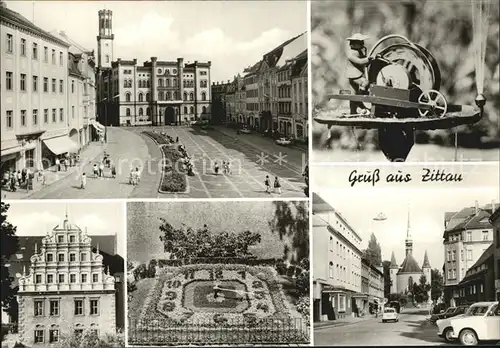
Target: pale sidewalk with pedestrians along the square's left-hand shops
(89, 154)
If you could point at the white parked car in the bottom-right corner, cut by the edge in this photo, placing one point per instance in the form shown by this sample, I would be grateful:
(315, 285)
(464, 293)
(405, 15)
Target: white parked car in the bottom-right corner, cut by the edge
(481, 323)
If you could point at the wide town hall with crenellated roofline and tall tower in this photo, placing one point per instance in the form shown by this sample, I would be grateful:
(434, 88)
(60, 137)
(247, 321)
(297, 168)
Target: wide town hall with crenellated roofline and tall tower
(155, 93)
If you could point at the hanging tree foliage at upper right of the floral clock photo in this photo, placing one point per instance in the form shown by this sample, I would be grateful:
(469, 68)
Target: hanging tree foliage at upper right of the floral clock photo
(291, 222)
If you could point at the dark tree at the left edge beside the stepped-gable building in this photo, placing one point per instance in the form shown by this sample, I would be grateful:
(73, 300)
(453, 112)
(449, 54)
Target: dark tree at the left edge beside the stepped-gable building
(9, 246)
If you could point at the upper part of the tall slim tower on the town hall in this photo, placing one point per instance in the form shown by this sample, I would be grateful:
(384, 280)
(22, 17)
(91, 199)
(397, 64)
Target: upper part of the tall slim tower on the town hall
(105, 39)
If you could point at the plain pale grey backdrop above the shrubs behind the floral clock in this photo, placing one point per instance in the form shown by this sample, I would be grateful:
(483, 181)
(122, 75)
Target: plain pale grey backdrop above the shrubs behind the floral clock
(143, 222)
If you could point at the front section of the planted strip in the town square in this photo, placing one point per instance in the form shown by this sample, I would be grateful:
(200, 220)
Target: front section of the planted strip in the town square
(174, 175)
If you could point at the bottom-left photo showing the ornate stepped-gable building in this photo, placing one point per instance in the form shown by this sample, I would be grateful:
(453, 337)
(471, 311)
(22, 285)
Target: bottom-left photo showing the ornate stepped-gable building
(63, 280)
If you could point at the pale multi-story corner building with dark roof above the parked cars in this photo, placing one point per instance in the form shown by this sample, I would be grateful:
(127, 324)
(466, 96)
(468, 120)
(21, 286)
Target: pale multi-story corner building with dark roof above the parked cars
(468, 233)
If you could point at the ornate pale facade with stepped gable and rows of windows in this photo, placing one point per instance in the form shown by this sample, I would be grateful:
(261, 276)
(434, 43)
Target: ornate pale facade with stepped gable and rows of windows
(66, 289)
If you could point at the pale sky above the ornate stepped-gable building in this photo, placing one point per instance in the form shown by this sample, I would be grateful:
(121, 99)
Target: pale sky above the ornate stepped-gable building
(100, 218)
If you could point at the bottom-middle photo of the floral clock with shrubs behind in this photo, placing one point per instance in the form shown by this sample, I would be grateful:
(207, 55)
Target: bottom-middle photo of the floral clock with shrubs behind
(230, 273)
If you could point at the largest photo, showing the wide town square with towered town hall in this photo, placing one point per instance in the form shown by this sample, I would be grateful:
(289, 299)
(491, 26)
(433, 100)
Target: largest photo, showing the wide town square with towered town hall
(154, 99)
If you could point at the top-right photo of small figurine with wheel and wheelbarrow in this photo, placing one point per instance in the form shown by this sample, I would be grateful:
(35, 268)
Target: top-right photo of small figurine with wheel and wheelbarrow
(410, 80)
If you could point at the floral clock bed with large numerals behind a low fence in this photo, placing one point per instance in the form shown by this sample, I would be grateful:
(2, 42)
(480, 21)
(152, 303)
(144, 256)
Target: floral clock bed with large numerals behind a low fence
(249, 306)
